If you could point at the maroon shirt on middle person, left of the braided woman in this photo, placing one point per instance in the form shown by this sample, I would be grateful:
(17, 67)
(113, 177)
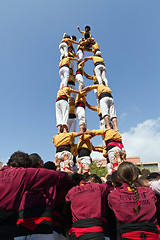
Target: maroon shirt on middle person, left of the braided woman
(86, 200)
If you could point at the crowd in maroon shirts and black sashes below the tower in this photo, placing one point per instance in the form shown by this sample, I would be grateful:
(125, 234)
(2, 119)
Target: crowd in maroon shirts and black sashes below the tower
(38, 202)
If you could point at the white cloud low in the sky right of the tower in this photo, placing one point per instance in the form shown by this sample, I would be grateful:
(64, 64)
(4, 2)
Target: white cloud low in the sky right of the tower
(144, 141)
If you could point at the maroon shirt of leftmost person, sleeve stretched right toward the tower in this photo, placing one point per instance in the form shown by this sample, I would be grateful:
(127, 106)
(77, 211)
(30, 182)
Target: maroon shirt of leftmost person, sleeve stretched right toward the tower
(15, 181)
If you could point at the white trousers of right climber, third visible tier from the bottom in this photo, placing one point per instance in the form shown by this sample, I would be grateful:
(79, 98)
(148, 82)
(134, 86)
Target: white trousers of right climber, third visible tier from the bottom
(100, 71)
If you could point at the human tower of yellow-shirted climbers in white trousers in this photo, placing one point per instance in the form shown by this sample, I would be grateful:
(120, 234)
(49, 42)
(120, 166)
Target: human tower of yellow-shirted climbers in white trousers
(70, 108)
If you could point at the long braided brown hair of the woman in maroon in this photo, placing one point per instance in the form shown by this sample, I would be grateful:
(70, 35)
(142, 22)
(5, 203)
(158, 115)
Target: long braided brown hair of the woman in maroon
(128, 173)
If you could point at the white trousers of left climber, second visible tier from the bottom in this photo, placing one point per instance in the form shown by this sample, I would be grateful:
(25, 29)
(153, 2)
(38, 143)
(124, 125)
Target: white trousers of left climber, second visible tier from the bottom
(62, 112)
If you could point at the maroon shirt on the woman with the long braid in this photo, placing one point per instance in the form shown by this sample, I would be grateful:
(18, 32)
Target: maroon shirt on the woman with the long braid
(122, 202)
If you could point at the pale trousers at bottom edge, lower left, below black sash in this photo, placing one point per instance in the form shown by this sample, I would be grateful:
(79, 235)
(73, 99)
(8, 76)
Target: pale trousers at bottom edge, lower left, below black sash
(36, 237)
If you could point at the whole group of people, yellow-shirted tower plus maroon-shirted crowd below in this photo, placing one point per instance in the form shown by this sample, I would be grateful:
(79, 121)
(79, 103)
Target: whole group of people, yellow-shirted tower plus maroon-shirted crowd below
(63, 199)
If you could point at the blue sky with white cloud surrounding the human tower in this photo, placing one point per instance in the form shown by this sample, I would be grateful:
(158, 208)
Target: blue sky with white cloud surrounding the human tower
(128, 33)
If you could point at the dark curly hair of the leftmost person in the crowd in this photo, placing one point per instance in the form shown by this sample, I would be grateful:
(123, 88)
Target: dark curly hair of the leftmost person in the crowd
(19, 159)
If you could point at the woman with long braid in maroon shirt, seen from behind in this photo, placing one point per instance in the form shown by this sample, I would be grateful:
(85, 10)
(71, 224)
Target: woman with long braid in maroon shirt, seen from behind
(134, 206)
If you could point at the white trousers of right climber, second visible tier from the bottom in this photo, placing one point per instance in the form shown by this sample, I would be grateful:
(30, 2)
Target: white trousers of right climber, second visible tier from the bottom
(107, 107)
